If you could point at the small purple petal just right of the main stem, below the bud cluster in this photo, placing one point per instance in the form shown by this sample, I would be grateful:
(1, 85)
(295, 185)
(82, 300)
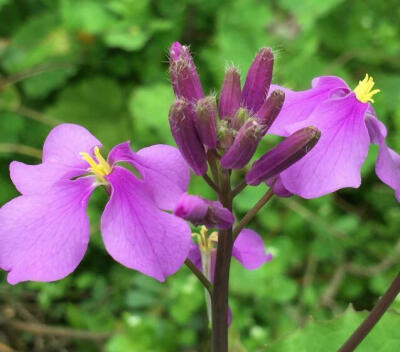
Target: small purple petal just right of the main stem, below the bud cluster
(249, 250)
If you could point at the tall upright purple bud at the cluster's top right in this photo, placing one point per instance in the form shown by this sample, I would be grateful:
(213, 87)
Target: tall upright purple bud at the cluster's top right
(258, 80)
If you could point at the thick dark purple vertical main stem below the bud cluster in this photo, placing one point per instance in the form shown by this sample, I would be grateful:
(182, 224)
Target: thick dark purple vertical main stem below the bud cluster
(221, 274)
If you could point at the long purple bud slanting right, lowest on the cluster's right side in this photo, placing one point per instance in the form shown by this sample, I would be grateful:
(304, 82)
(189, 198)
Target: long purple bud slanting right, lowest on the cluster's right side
(285, 154)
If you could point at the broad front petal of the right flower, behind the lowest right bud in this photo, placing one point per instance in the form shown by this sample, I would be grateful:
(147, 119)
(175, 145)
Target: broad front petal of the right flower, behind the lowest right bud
(336, 160)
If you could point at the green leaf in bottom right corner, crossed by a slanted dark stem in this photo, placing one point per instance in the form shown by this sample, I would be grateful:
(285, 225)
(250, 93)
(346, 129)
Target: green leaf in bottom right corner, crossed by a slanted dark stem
(330, 335)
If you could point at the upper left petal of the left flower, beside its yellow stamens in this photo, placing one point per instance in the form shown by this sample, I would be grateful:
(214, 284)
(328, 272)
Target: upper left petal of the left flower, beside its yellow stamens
(65, 142)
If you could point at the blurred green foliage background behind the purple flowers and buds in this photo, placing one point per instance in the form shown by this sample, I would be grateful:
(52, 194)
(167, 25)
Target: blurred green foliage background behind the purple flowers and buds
(103, 64)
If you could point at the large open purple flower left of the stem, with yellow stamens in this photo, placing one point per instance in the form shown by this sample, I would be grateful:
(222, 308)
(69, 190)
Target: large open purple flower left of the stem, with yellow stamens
(44, 233)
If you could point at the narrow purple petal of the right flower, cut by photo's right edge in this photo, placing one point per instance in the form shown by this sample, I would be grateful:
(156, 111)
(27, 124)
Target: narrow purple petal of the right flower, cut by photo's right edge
(388, 163)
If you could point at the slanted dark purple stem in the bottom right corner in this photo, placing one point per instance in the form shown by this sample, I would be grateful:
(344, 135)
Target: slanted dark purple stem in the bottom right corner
(373, 317)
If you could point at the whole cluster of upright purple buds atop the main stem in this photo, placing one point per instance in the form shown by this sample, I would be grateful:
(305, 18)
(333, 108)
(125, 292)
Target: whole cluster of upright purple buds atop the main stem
(236, 125)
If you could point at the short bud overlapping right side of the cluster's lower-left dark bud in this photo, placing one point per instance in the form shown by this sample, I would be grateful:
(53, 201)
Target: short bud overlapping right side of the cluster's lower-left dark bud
(206, 121)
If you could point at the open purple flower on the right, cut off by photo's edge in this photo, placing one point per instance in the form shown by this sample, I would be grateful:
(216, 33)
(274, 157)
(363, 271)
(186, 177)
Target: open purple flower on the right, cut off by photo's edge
(348, 125)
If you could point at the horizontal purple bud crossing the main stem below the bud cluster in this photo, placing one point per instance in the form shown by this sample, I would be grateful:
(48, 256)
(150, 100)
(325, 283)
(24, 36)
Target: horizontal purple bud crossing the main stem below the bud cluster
(202, 211)
